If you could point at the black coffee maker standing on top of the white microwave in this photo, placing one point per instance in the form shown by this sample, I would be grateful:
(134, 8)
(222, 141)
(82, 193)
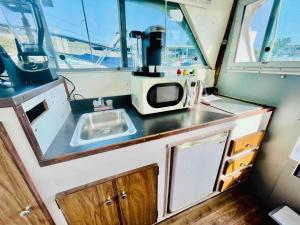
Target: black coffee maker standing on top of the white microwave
(153, 43)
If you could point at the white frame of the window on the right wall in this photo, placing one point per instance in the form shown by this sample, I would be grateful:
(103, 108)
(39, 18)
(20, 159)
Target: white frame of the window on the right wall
(267, 67)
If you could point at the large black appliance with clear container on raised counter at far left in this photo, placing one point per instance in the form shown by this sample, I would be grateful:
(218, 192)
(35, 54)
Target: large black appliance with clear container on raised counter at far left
(25, 58)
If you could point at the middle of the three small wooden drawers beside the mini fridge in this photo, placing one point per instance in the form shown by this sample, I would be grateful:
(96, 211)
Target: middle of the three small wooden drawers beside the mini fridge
(239, 163)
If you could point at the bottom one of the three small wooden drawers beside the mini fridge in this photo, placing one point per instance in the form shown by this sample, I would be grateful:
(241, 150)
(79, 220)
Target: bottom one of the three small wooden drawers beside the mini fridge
(235, 179)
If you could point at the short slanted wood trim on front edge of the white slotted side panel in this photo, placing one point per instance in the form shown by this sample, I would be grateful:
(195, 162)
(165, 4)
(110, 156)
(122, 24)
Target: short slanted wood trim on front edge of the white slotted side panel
(29, 132)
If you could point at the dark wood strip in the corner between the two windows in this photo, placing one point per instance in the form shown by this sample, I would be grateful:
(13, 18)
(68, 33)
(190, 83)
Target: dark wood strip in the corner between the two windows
(225, 39)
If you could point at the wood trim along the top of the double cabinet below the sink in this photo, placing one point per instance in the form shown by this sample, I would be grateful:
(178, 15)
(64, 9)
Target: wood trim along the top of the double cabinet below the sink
(82, 187)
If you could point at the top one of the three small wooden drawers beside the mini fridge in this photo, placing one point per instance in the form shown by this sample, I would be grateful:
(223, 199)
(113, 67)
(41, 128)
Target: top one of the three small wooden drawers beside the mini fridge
(251, 141)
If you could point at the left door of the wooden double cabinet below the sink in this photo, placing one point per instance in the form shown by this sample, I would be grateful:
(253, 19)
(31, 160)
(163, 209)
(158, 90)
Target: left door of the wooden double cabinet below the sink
(94, 205)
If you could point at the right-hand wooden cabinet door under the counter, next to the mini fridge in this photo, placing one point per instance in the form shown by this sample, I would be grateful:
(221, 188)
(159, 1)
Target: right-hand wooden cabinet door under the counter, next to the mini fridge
(138, 197)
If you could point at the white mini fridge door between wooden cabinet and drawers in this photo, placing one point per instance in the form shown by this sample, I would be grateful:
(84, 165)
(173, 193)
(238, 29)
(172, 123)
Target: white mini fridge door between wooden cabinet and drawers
(195, 168)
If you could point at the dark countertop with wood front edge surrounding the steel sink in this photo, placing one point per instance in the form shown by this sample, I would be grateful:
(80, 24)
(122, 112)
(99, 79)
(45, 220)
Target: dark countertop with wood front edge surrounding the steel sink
(148, 127)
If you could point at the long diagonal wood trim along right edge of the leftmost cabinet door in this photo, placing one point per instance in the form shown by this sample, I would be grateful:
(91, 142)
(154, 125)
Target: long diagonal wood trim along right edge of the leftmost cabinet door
(17, 160)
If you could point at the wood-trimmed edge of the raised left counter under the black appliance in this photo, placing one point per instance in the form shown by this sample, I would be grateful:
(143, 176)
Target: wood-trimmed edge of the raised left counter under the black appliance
(27, 95)
